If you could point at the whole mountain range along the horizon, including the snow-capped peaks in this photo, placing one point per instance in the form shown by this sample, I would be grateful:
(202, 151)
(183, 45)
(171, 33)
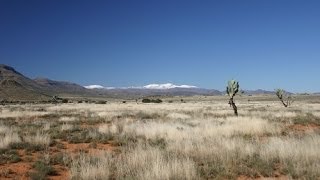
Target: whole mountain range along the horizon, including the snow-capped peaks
(16, 86)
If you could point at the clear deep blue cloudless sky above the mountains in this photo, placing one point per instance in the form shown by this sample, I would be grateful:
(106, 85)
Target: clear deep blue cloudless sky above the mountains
(262, 43)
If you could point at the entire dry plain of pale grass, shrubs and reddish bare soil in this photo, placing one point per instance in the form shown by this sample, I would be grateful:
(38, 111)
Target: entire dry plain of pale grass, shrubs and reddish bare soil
(198, 139)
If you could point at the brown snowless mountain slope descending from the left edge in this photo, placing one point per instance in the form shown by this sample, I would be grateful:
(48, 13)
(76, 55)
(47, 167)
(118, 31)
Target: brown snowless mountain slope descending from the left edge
(16, 86)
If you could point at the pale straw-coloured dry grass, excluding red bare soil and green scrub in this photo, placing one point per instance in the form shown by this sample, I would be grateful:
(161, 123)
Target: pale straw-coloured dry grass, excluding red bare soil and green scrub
(193, 140)
